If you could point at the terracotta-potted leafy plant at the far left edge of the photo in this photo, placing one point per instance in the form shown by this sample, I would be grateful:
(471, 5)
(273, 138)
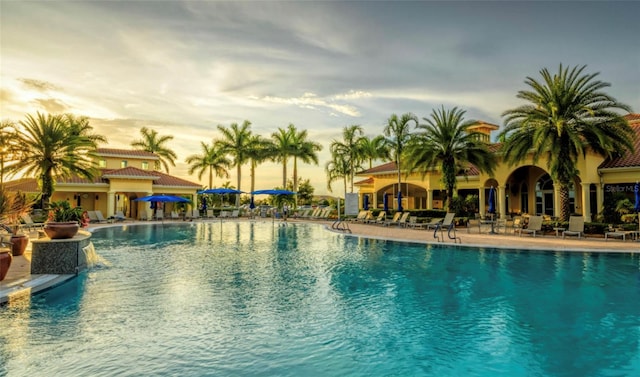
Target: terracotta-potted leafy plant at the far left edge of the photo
(12, 206)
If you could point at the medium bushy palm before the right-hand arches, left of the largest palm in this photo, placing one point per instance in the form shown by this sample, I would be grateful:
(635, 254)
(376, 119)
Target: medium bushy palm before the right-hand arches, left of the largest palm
(445, 143)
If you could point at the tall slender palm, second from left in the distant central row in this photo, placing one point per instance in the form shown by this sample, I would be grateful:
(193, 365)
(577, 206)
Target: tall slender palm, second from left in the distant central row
(236, 141)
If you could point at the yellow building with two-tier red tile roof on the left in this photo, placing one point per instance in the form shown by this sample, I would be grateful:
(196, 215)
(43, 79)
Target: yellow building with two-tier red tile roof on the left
(124, 175)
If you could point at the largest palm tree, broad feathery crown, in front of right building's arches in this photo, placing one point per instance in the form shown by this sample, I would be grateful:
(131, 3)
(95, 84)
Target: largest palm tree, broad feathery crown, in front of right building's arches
(567, 115)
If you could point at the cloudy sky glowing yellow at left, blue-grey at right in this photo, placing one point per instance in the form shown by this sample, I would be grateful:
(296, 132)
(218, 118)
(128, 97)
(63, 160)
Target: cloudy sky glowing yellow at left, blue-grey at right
(184, 67)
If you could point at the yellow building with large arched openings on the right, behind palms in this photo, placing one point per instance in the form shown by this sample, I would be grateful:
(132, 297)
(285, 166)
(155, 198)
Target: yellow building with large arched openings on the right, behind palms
(526, 188)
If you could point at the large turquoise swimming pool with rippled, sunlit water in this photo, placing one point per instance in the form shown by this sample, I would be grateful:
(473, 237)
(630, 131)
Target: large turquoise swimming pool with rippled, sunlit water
(253, 299)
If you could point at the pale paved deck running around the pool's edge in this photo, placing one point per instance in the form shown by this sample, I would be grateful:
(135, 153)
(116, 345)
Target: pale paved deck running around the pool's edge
(19, 281)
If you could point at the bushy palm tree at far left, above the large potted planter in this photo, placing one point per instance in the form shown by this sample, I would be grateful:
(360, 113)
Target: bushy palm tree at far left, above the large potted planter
(55, 146)
